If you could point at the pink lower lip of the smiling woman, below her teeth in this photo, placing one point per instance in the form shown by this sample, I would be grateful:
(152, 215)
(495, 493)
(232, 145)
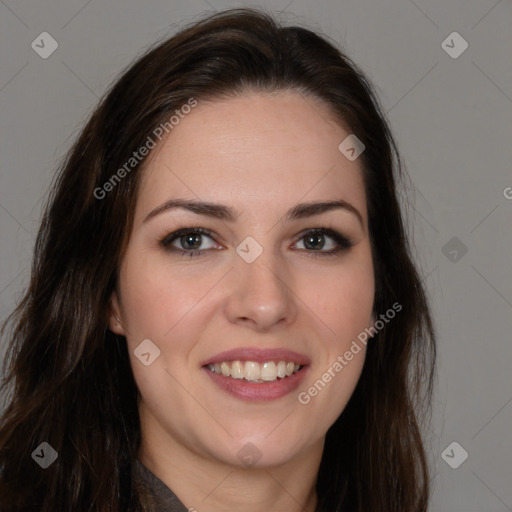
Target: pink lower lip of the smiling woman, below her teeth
(258, 391)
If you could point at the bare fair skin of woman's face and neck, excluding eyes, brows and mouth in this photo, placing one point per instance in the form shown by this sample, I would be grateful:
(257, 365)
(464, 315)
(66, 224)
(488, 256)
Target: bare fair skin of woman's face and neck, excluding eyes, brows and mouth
(260, 154)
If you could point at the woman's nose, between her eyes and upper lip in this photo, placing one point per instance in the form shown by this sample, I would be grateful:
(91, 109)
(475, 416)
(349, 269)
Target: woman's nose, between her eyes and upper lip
(261, 295)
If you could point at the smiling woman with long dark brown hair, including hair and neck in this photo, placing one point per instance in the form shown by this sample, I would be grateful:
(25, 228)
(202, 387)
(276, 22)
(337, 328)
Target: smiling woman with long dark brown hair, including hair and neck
(223, 312)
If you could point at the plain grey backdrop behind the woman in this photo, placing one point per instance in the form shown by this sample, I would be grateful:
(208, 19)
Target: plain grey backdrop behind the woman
(452, 118)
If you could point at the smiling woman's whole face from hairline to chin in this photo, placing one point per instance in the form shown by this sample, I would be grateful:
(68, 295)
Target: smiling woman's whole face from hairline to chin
(255, 290)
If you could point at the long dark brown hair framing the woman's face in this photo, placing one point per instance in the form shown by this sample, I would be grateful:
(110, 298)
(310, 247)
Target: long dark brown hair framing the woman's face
(68, 377)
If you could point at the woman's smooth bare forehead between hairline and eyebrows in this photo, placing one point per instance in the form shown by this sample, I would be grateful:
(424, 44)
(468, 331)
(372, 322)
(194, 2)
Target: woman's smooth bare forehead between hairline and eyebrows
(259, 152)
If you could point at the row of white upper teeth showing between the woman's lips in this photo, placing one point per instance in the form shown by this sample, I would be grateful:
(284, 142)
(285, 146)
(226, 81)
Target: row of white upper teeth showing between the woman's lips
(252, 371)
